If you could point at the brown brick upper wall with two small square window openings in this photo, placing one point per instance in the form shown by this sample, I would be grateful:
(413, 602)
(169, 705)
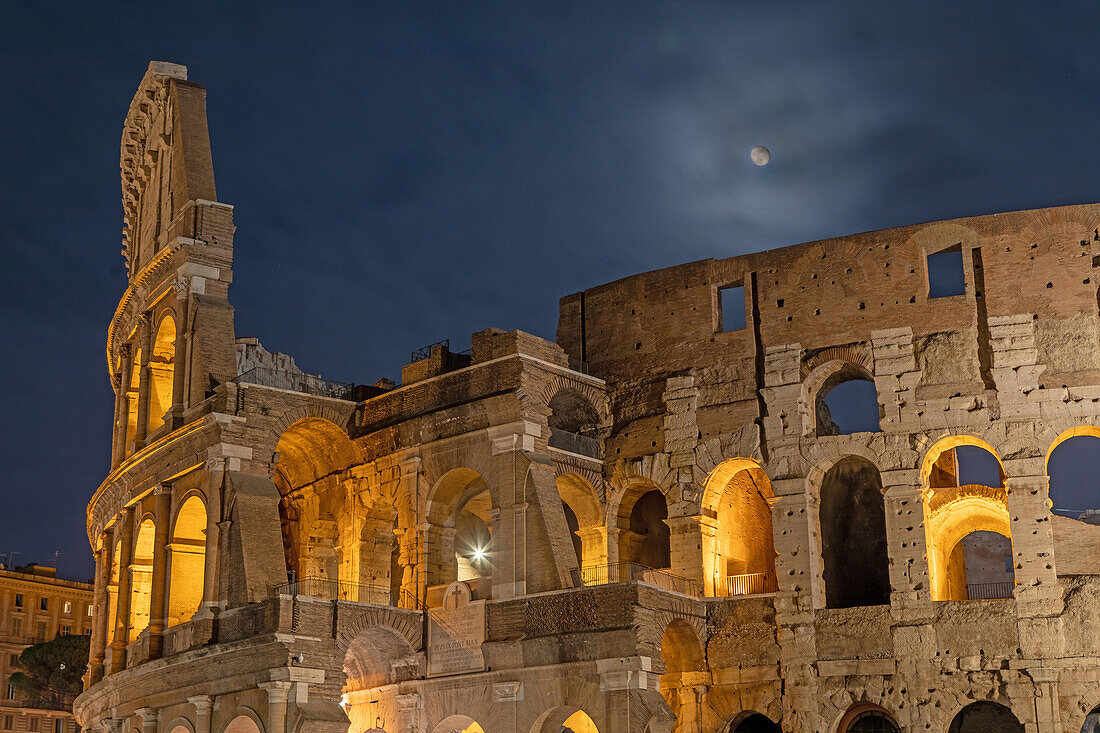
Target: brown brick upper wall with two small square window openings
(835, 293)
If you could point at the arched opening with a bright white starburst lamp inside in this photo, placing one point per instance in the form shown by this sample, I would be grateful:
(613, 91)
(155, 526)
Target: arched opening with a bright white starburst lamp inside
(460, 532)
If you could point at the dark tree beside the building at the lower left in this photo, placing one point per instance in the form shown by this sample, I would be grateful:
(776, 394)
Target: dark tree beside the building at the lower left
(50, 674)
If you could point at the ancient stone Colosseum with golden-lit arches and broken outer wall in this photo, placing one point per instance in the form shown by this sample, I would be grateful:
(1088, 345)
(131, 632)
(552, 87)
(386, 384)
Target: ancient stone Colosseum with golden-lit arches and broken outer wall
(657, 523)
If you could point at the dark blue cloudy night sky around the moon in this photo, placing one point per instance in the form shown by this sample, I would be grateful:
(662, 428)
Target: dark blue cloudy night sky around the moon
(410, 172)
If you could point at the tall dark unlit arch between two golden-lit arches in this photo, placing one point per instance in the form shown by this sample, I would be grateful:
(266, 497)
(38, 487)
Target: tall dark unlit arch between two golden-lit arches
(854, 535)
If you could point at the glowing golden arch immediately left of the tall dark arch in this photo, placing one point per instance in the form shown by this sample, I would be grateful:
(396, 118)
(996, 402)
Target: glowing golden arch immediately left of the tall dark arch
(736, 496)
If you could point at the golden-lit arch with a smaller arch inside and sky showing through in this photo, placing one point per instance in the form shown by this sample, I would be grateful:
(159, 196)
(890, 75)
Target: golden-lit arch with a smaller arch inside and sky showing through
(967, 524)
